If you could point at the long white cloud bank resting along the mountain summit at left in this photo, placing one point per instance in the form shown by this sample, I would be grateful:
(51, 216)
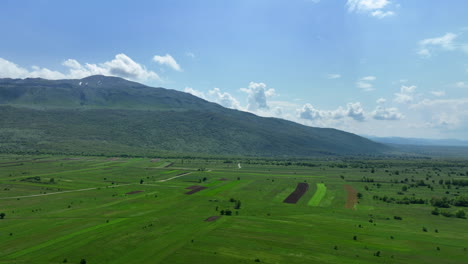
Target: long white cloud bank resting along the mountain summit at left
(121, 66)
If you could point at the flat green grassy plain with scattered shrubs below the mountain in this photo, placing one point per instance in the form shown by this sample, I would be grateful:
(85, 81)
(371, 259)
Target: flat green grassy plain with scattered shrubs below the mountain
(64, 209)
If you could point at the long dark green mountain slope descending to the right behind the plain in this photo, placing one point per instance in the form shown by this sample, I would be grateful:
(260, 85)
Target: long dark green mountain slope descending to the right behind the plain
(109, 115)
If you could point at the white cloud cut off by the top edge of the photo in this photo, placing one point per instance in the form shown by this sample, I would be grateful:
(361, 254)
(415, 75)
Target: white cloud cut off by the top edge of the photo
(374, 8)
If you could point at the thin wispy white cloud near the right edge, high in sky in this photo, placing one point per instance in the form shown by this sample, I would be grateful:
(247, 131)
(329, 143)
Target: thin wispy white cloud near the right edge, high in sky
(445, 42)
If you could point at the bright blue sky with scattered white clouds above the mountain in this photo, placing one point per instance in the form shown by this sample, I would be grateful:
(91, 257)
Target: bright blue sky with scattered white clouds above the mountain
(372, 67)
